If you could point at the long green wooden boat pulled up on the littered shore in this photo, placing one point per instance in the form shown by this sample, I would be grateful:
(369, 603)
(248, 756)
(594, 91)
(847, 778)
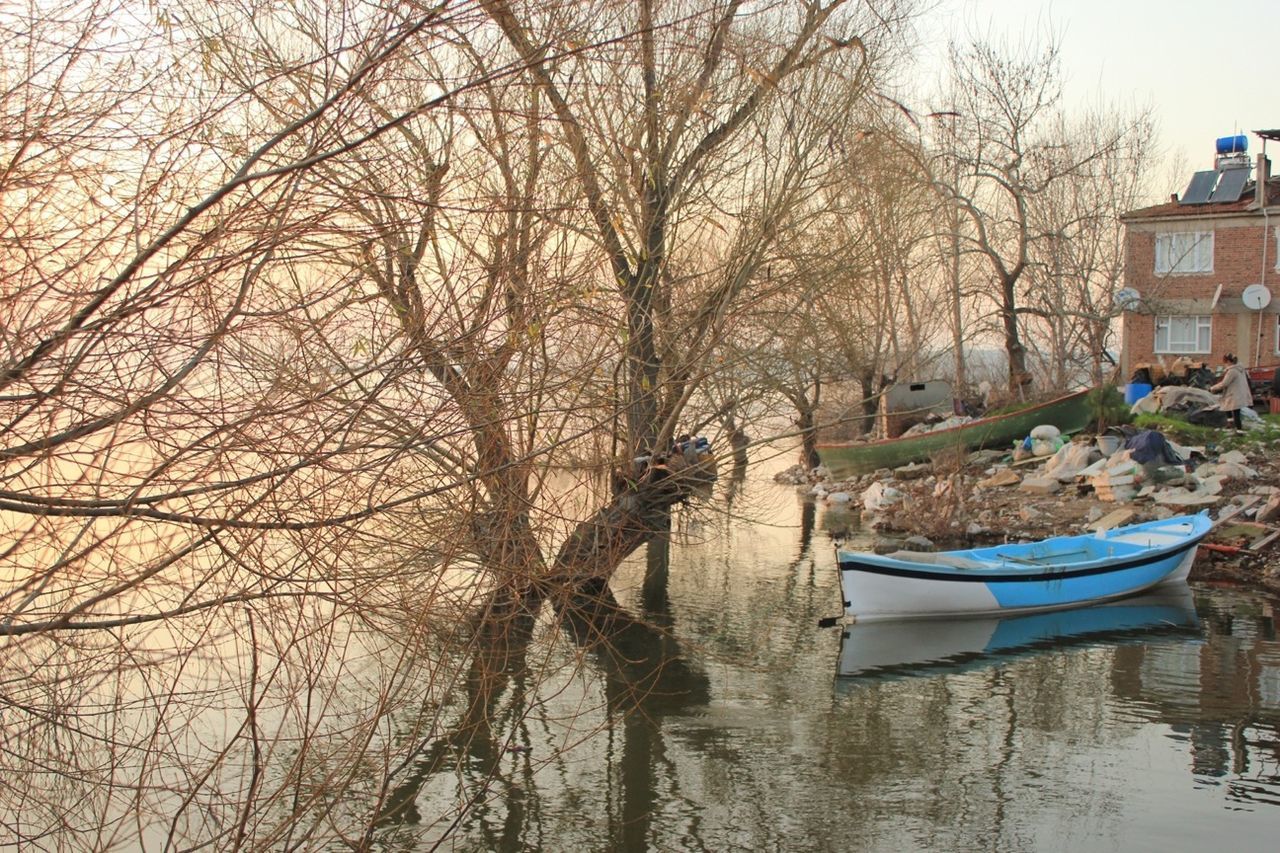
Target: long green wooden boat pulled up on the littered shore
(1071, 414)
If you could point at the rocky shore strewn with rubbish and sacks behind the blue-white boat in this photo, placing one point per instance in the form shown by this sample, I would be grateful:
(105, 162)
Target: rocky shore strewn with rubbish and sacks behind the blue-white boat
(968, 500)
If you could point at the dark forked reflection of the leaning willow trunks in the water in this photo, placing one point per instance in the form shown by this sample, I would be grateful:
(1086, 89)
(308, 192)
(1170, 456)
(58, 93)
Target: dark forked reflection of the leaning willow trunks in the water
(643, 677)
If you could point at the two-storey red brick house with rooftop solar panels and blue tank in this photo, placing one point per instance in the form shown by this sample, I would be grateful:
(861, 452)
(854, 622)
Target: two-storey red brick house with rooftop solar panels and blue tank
(1190, 263)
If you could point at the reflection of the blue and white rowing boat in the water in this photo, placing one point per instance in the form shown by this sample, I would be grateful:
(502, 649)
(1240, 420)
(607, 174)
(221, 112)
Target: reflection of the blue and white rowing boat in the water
(904, 649)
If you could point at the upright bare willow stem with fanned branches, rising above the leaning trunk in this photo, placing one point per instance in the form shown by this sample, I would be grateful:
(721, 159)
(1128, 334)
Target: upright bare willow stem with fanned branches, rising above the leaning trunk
(660, 135)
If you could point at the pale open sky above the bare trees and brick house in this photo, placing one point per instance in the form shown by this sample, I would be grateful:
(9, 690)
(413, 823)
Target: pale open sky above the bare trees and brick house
(1203, 67)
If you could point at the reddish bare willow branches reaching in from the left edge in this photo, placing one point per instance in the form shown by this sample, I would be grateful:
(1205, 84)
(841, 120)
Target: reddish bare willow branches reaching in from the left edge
(209, 455)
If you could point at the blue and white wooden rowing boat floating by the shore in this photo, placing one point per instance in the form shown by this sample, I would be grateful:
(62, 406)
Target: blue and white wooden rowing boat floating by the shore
(1013, 578)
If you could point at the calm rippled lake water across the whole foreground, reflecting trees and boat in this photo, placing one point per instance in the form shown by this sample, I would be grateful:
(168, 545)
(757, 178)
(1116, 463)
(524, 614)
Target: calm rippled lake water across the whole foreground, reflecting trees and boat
(700, 706)
